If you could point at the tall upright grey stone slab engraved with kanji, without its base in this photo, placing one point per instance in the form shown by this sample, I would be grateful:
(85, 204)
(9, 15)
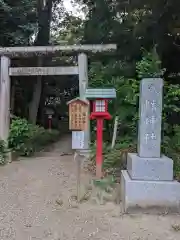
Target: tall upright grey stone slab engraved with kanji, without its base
(150, 117)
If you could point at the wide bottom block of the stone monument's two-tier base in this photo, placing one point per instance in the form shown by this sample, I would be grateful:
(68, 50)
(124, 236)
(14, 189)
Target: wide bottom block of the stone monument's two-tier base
(149, 195)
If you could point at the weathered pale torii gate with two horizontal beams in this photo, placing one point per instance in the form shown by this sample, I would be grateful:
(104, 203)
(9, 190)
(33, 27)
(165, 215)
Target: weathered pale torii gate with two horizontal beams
(6, 71)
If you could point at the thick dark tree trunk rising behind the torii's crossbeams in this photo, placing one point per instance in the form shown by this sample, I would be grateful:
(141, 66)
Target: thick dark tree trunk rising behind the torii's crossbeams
(44, 19)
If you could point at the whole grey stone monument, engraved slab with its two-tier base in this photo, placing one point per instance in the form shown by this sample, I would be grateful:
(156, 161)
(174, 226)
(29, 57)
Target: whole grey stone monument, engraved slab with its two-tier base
(148, 181)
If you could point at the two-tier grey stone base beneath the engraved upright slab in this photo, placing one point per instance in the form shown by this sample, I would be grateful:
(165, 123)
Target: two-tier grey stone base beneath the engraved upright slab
(161, 195)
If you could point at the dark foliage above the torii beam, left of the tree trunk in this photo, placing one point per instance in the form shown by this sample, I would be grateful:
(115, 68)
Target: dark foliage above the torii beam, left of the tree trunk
(15, 27)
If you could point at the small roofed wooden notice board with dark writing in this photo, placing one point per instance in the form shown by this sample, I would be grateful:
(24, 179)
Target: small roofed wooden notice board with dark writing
(78, 115)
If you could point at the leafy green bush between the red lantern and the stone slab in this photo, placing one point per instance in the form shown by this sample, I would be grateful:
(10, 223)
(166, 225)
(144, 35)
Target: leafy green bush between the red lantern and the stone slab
(127, 90)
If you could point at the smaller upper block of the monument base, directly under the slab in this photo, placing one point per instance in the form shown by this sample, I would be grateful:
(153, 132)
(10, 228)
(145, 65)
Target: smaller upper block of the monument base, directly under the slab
(155, 169)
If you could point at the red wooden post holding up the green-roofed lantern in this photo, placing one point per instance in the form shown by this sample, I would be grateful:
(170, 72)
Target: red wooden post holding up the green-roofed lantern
(99, 149)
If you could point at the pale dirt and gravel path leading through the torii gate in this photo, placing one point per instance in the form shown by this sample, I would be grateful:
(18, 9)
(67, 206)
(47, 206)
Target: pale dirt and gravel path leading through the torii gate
(29, 190)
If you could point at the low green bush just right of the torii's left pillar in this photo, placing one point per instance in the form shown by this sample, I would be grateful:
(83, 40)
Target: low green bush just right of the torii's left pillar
(26, 138)
